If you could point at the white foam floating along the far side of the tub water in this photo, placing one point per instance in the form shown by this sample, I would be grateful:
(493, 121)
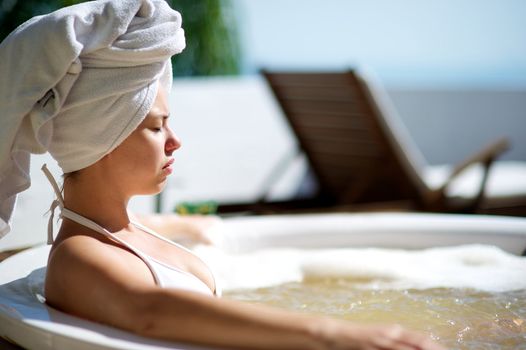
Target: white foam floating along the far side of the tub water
(481, 267)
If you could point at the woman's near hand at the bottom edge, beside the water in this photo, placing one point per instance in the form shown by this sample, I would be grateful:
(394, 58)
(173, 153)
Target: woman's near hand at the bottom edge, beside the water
(336, 334)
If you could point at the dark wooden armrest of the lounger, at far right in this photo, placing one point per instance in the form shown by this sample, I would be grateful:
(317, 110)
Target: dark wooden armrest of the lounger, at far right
(485, 156)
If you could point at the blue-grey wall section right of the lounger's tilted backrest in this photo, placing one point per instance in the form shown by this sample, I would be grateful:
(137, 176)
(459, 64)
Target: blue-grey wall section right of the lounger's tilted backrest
(449, 125)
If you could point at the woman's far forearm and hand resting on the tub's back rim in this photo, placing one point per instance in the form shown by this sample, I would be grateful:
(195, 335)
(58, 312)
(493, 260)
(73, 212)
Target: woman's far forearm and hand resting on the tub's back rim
(190, 229)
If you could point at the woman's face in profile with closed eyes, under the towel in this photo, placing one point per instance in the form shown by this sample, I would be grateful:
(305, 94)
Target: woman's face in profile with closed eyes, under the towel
(141, 164)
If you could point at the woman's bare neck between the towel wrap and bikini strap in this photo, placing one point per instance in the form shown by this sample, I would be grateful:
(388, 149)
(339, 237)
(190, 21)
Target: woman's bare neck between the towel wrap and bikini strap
(92, 197)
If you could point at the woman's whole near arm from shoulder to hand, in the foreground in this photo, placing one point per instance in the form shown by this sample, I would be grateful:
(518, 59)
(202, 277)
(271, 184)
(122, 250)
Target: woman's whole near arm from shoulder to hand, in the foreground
(107, 284)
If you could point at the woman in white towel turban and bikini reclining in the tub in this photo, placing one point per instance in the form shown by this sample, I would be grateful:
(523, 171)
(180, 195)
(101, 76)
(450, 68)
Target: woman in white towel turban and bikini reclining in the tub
(103, 116)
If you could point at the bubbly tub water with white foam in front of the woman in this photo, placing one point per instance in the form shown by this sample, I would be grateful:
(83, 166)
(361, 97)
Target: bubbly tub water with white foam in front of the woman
(466, 297)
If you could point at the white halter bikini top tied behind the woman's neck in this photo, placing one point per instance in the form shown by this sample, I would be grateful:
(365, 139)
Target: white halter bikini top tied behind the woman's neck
(166, 276)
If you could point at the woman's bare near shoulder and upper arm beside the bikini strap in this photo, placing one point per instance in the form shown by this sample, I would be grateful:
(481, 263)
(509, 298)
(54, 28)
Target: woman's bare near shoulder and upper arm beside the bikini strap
(93, 279)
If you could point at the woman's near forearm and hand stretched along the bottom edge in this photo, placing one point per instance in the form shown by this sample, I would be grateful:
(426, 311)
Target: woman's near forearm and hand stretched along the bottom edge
(189, 317)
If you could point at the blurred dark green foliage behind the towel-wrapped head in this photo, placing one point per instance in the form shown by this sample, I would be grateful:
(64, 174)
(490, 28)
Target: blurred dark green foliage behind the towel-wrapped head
(210, 26)
